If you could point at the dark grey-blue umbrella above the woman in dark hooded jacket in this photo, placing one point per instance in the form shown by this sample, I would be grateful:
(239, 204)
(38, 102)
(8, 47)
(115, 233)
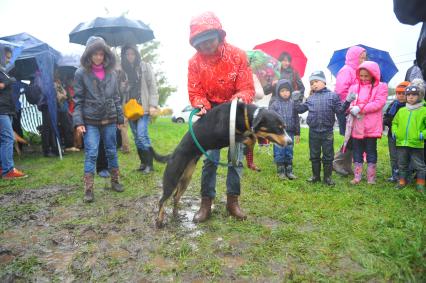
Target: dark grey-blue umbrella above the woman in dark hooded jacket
(116, 31)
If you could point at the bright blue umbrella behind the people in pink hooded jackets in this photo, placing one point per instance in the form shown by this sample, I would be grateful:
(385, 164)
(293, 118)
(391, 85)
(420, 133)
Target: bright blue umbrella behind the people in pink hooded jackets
(386, 64)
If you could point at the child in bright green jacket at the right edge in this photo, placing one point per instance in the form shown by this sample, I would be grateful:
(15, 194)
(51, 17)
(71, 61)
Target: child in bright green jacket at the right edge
(409, 128)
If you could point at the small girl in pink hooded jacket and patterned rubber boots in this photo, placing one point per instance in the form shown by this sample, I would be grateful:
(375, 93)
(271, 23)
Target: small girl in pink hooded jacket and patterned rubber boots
(367, 118)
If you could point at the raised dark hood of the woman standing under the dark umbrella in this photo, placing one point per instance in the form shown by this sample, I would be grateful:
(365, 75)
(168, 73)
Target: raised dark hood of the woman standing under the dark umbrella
(93, 44)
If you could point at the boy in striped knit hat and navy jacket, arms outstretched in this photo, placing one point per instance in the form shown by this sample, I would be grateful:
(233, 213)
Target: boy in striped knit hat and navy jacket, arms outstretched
(322, 105)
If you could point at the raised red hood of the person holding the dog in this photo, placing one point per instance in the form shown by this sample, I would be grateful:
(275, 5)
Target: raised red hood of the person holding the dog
(205, 22)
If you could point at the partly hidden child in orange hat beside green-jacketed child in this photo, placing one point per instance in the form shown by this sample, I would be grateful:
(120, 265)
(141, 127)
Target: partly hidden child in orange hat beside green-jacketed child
(387, 121)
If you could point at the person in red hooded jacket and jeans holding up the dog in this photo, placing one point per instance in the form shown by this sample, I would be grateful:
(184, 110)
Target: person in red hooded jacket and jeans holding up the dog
(217, 73)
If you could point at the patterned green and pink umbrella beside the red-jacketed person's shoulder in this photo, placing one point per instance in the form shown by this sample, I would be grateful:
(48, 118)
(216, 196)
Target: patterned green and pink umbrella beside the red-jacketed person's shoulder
(265, 67)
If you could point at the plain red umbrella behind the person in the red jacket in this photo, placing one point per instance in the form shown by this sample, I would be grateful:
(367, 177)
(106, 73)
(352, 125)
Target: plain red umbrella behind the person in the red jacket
(278, 46)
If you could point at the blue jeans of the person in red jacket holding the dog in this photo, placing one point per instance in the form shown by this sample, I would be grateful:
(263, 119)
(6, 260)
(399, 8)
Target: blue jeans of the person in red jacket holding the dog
(208, 175)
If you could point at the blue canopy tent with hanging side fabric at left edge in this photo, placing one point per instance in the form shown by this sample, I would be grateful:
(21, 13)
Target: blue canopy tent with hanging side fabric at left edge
(37, 55)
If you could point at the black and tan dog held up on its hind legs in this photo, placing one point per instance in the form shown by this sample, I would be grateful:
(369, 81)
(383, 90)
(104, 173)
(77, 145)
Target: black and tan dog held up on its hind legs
(212, 132)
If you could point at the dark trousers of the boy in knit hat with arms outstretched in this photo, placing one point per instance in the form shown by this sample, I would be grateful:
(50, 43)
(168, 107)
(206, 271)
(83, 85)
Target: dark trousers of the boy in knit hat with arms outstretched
(321, 141)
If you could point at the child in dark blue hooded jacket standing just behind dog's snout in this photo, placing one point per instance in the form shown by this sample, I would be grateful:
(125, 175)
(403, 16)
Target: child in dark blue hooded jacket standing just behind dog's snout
(285, 107)
